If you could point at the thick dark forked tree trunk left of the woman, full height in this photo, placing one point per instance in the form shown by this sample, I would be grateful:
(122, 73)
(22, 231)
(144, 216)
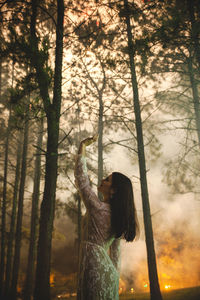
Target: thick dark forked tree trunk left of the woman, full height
(42, 284)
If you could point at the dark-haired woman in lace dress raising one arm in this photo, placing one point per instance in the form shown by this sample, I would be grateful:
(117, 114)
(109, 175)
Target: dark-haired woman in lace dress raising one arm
(106, 222)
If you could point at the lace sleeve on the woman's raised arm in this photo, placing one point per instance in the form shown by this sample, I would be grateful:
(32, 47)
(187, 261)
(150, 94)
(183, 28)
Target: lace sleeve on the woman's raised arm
(88, 196)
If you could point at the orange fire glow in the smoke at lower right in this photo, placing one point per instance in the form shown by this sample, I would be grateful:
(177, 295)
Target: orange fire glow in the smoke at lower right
(177, 261)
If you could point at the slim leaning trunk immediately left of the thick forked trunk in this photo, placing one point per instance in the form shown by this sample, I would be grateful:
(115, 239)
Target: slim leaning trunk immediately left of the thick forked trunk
(29, 282)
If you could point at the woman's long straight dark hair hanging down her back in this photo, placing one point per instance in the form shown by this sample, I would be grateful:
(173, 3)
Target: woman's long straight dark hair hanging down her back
(123, 214)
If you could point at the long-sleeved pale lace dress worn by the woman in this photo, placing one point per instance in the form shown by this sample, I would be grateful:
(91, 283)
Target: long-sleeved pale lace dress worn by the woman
(100, 251)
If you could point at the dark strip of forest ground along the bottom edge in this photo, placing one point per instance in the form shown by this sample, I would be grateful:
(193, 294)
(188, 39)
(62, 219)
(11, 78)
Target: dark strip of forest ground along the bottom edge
(181, 294)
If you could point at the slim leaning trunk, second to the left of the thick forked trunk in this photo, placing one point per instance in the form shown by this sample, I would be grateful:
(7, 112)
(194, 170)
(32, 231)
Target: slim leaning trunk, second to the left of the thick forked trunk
(16, 262)
